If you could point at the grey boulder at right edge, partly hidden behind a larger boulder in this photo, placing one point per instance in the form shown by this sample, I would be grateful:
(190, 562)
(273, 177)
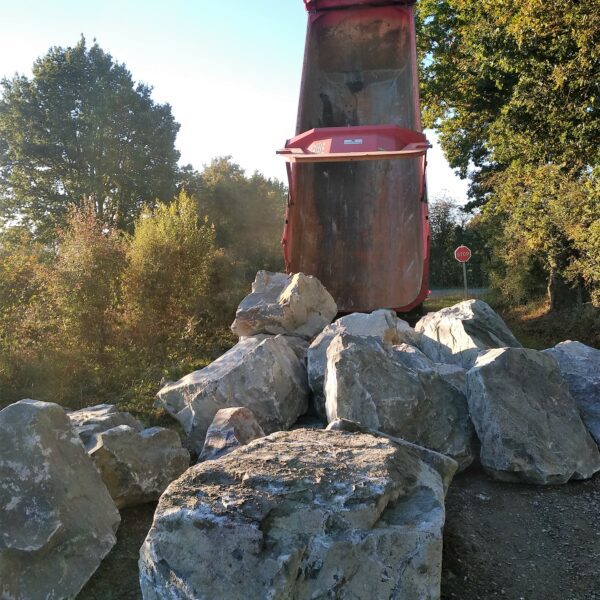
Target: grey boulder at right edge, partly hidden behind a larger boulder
(580, 367)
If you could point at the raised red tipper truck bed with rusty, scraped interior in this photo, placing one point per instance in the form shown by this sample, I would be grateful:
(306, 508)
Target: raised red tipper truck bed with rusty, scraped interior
(357, 217)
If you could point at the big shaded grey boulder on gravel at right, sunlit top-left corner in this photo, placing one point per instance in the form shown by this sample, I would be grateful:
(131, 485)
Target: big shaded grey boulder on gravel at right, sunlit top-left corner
(528, 423)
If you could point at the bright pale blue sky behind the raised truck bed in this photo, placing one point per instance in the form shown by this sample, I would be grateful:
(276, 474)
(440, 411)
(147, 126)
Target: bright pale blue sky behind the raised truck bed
(229, 68)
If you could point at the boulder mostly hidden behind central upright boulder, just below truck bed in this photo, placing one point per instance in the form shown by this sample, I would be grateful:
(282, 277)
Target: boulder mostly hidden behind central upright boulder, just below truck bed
(381, 324)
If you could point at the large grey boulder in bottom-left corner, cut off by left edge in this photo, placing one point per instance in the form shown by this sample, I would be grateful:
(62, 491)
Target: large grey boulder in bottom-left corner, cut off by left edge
(57, 519)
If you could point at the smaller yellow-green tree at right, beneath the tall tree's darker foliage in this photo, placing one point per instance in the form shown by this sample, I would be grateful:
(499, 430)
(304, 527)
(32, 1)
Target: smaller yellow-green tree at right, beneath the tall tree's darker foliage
(544, 226)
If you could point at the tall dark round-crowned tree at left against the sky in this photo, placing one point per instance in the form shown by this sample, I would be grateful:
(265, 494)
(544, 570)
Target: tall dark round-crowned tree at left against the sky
(80, 129)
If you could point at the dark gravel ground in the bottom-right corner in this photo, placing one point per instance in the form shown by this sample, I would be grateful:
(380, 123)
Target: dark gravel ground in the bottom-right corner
(521, 542)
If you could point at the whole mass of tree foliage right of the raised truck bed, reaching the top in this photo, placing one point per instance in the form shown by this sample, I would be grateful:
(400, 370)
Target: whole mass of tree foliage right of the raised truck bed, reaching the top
(514, 91)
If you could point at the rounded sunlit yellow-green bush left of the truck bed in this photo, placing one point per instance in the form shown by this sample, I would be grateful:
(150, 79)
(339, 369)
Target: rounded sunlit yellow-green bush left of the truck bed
(167, 282)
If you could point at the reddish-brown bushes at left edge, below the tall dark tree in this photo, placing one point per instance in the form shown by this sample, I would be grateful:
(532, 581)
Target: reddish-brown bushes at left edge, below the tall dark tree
(59, 317)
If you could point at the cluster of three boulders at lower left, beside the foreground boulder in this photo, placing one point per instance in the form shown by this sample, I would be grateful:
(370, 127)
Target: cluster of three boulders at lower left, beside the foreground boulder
(63, 478)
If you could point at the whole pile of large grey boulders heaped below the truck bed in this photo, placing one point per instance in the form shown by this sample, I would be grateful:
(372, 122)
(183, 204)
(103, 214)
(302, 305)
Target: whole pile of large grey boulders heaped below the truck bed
(350, 508)
